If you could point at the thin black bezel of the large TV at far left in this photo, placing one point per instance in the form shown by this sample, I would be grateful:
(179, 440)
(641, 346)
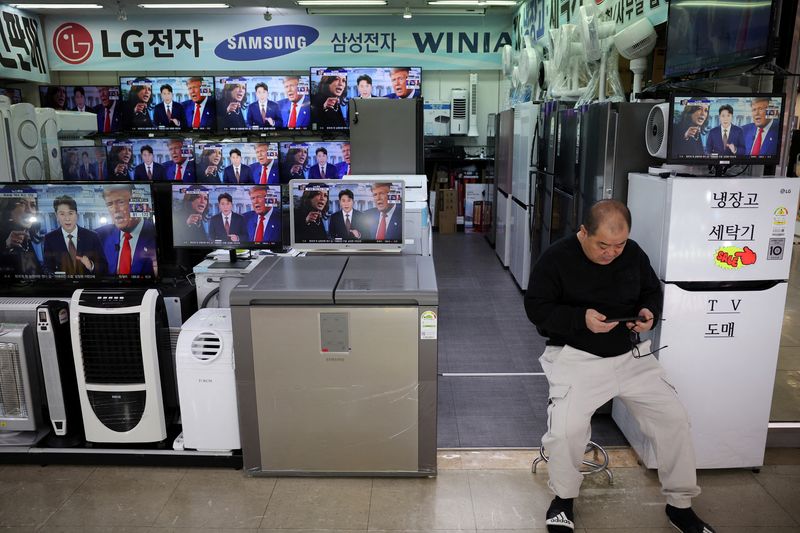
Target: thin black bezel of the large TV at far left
(105, 281)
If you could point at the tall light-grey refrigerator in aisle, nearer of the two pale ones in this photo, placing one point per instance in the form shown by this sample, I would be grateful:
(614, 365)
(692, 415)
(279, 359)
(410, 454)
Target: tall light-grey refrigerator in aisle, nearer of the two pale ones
(526, 118)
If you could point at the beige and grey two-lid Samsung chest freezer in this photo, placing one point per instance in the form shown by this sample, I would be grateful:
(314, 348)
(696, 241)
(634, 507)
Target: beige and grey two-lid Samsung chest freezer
(336, 362)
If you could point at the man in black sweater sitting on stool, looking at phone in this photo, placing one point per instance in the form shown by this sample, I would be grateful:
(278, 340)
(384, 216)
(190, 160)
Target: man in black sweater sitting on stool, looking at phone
(578, 284)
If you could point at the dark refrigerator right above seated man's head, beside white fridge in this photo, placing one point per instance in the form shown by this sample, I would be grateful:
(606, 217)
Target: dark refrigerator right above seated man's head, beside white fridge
(612, 144)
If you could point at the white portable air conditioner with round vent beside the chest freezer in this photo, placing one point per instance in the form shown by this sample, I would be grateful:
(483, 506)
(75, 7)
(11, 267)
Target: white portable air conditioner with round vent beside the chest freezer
(207, 382)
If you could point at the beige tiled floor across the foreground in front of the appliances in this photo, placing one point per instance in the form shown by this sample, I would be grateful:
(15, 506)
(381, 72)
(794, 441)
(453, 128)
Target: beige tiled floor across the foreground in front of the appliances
(474, 491)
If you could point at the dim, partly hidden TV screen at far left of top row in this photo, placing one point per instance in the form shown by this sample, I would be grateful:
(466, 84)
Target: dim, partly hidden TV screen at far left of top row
(102, 100)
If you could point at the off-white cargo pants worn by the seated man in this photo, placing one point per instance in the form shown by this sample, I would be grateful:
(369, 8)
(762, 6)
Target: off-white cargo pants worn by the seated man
(581, 382)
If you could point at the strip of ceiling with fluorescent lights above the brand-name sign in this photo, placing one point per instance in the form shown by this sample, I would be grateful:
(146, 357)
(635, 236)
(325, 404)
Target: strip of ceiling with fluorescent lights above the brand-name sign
(277, 8)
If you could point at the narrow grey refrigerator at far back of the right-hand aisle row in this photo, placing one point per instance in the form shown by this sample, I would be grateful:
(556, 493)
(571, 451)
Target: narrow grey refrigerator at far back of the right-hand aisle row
(503, 172)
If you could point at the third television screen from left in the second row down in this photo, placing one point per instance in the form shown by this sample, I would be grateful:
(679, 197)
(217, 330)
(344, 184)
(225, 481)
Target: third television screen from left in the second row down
(230, 162)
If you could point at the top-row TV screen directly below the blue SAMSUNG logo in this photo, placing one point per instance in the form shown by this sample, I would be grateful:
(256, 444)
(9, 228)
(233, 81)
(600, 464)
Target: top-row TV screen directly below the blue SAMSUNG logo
(247, 103)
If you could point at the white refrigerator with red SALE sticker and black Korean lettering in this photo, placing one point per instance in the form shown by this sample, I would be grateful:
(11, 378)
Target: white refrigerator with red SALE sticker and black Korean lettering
(722, 250)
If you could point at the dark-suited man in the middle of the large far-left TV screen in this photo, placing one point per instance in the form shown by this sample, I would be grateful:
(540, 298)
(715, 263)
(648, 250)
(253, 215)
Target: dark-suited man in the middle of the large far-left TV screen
(71, 249)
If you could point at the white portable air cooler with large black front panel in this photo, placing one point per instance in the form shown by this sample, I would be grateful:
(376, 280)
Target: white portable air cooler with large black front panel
(123, 383)
